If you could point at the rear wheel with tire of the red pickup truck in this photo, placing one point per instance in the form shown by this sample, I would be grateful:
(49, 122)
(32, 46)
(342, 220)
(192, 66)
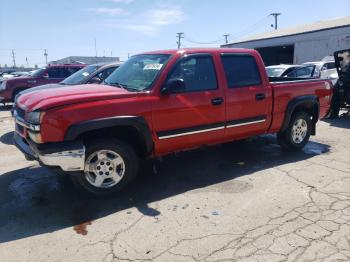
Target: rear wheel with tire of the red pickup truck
(297, 134)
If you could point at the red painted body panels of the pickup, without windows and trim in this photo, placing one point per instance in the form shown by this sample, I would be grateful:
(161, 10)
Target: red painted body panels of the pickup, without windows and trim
(67, 106)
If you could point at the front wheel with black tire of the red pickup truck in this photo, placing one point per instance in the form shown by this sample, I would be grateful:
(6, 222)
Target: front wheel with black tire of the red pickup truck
(101, 157)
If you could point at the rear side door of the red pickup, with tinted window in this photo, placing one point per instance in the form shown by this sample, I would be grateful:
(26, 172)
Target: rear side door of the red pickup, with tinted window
(248, 96)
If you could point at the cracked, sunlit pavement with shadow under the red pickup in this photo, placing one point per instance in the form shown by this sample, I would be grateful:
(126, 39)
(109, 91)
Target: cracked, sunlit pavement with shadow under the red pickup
(242, 201)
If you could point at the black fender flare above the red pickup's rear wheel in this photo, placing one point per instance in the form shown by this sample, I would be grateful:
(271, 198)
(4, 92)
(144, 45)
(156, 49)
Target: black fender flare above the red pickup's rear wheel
(308, 100)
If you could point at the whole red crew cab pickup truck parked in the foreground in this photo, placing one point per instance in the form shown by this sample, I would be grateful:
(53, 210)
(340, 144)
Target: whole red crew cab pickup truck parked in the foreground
(161, 102)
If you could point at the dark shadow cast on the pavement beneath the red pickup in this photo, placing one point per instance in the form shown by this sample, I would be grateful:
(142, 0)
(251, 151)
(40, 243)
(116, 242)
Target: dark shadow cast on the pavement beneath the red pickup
(34, 201)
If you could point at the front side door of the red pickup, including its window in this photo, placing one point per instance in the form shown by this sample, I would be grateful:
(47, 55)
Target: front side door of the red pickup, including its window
(195, 116)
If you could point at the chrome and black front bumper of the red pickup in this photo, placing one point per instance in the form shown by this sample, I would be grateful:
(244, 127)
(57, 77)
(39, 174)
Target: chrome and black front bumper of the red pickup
(69, 156)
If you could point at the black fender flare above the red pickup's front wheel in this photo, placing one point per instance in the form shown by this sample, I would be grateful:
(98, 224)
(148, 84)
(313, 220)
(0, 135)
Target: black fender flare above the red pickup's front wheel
(138, 122)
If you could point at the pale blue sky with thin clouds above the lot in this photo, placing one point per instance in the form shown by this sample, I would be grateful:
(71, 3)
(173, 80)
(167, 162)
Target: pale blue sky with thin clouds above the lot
(69, 27)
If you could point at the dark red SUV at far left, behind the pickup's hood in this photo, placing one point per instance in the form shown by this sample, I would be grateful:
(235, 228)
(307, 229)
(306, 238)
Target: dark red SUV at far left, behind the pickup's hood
(9, 88)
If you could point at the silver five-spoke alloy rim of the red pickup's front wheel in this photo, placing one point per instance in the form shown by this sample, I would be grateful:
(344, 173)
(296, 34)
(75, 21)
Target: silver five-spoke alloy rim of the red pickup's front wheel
(104, 168)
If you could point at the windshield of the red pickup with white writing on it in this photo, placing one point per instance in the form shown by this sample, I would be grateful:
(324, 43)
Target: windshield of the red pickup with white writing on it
(139, 72)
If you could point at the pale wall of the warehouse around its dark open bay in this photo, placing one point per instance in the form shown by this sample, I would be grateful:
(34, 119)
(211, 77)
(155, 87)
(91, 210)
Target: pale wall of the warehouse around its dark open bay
(309, 46)
